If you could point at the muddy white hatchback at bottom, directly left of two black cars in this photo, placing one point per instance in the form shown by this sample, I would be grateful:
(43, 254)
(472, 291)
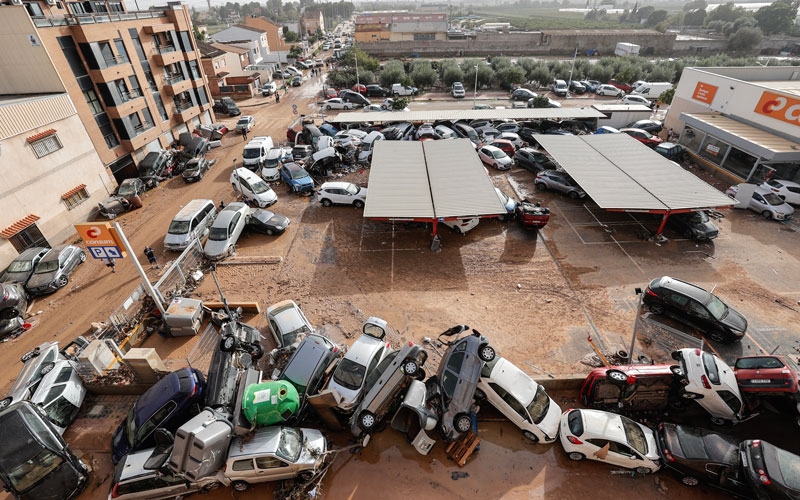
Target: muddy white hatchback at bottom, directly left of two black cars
(610, 438)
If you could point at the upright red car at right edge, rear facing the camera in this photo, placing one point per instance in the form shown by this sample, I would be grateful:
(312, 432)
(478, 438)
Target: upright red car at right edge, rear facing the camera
(767, 374)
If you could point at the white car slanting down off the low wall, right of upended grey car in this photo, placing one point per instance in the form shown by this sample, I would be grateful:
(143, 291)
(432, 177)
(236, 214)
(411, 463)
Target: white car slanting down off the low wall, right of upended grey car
(524, 402)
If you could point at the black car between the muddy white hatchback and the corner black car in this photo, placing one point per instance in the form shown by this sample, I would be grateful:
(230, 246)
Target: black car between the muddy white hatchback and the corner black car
(697, 455)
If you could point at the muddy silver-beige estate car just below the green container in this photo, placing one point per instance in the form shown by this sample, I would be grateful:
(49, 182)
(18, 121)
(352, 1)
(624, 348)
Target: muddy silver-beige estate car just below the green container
(272, 454)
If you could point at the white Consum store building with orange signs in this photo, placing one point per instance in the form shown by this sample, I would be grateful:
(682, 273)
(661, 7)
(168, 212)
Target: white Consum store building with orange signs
(744, 122)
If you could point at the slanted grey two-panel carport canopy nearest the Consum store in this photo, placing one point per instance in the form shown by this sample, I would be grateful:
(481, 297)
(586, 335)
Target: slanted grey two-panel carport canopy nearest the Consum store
(620, 173)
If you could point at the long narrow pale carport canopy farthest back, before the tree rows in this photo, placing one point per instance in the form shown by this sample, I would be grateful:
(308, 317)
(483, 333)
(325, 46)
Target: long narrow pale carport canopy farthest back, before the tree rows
(466, 114)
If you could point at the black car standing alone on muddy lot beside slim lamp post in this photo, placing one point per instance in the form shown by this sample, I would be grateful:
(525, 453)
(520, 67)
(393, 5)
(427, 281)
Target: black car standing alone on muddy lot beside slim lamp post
(695, 307)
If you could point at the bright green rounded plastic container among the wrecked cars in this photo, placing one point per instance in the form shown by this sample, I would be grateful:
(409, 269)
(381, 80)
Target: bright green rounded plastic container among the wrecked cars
(269, 403)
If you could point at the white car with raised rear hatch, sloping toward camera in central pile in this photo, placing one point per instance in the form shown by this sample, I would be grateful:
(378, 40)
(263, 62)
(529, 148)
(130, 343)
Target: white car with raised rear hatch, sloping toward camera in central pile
(359, 362)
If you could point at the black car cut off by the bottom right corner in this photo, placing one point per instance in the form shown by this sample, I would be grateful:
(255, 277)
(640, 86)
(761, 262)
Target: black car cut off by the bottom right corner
(771, 471)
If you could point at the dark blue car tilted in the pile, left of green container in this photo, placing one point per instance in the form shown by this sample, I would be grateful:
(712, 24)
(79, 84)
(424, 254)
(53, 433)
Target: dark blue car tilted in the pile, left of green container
(168, 404)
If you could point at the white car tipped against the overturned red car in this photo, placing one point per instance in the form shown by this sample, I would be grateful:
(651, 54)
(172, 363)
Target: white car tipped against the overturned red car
(711, 383)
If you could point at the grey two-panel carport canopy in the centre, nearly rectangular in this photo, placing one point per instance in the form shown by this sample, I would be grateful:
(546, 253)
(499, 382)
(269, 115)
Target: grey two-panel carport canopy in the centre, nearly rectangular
(429, 181)
